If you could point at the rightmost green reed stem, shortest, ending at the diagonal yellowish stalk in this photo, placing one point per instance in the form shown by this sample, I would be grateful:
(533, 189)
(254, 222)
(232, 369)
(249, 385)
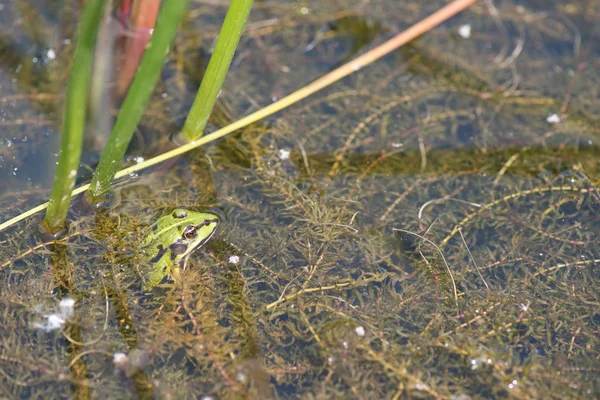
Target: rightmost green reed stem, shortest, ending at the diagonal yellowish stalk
(216, 71)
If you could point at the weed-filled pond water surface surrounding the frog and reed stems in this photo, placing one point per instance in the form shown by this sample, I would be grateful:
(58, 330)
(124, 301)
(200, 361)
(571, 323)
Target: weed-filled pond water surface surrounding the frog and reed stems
(428, 227)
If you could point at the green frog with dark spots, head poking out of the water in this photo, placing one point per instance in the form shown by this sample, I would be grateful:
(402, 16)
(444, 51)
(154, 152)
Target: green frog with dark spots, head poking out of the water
(170, 240)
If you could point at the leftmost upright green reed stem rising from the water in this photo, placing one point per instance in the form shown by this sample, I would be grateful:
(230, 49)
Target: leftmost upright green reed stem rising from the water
(74, 119)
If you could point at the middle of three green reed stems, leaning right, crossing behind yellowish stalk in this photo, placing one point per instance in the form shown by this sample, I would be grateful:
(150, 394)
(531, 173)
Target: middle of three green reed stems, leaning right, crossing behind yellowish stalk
(137, 98)
